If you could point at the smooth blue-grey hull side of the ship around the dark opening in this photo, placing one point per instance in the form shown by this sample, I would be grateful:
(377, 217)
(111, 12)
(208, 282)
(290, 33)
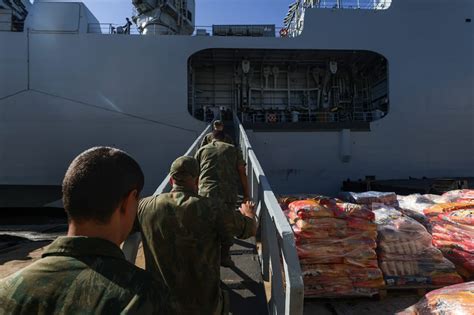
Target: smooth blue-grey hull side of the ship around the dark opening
(61, 93)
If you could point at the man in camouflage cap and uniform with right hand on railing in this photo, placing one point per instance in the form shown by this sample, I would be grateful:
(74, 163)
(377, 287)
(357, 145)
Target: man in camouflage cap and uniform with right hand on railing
(181, 234)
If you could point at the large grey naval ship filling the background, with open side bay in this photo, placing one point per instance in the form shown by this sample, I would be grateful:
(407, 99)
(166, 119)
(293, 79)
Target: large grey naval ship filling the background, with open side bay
(344, 90)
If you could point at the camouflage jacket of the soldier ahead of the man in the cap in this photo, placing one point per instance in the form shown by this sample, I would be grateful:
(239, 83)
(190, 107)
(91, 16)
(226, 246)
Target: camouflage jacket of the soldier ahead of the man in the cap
(219, 177)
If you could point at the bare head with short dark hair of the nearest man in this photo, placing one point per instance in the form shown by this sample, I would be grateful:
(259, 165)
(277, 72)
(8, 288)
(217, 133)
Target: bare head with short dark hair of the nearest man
(99, 182)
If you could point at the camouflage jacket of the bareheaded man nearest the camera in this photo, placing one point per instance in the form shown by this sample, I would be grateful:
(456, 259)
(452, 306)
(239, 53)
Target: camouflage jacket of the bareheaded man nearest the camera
(82, 275)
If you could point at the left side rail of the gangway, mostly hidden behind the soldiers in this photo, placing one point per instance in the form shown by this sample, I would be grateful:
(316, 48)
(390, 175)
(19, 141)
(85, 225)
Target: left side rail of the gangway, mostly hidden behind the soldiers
(131, 244)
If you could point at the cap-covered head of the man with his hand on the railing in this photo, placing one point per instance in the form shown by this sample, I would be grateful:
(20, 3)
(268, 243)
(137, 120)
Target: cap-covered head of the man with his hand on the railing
(184, 171)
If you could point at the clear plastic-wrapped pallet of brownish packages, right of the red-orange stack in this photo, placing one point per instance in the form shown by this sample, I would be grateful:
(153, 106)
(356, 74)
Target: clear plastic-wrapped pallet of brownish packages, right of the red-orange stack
(406, 254)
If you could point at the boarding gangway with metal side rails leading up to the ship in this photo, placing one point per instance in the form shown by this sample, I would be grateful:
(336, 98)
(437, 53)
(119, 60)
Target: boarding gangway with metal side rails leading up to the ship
(267, 277)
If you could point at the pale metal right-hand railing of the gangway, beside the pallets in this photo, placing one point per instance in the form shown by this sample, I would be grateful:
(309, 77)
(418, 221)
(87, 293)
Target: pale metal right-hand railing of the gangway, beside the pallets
(278, 256)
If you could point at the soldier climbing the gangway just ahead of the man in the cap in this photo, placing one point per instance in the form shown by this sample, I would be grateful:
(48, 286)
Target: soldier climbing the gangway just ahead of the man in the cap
(222, 172)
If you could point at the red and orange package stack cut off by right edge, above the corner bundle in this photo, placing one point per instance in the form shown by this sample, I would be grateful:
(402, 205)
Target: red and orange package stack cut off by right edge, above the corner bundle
(453, 232)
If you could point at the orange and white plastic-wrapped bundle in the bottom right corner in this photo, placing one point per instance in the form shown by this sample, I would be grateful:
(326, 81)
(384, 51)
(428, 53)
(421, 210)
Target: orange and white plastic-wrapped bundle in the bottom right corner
(453, 300)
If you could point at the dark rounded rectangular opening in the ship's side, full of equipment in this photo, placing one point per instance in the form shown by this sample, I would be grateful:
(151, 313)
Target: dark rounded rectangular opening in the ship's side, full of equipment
(289, 88)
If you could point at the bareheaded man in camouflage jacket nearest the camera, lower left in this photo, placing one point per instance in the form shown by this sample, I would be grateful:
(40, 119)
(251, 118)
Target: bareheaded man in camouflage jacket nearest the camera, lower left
(86, 272)
